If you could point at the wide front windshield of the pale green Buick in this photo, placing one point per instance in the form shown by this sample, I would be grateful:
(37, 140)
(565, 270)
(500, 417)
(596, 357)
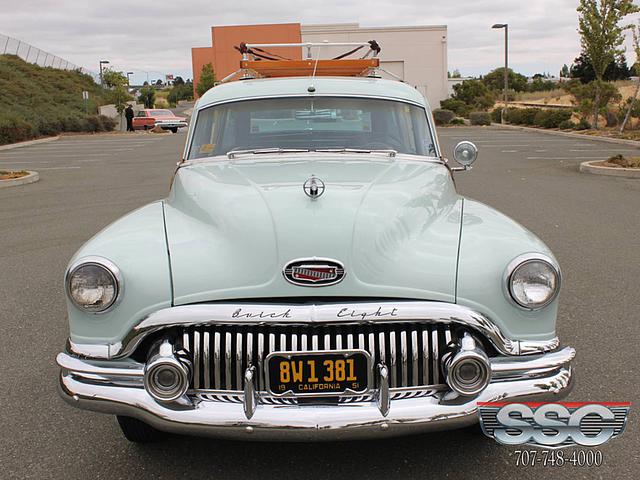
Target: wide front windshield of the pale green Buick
(312, 124)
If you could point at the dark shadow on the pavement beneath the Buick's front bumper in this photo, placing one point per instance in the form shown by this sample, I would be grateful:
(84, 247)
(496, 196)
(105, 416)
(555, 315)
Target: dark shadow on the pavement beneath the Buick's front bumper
(446, 452)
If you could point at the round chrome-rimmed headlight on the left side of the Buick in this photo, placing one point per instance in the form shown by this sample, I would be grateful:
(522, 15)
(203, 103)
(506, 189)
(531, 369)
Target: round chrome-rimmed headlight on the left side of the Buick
(94, 284)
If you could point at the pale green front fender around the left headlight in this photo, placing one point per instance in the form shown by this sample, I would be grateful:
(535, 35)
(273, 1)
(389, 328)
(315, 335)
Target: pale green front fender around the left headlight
(137, 245)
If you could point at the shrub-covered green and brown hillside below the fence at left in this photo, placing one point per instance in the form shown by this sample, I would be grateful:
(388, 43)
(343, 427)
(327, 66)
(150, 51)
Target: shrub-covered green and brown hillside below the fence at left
(37, 101)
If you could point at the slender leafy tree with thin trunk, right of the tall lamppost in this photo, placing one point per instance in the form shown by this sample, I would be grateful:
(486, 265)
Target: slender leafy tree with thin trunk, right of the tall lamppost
(602, 36)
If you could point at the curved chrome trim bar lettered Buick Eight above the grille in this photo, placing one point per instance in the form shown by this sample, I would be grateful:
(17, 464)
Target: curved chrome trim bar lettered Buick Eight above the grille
(347, 313)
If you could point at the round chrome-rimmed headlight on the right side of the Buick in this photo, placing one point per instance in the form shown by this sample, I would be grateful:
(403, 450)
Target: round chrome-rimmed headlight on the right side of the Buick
(533, 281)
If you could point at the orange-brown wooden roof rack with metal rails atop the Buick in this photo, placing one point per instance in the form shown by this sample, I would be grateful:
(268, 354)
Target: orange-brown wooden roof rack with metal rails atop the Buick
(260, 63)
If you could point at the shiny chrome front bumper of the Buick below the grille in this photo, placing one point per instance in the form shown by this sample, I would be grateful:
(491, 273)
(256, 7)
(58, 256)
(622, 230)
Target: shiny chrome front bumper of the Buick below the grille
(116, 387)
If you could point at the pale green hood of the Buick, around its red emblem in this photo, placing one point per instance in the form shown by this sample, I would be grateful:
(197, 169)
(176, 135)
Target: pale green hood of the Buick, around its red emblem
(233, 225)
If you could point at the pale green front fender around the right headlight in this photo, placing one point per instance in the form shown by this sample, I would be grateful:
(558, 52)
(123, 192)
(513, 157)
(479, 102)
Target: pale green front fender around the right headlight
(489, 242)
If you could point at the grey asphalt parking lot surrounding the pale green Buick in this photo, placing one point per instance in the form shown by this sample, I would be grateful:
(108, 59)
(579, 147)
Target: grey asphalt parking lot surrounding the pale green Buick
(591, 223)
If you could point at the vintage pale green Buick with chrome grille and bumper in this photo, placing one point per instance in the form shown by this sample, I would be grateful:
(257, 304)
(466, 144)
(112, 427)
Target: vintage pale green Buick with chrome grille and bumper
(313, 275)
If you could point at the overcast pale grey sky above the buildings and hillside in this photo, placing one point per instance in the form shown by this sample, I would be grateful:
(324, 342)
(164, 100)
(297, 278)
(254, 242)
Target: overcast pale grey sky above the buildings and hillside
(157, 36)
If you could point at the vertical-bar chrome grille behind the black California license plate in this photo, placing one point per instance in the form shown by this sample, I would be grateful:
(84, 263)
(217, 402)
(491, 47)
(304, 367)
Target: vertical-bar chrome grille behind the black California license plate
(221, 353)
